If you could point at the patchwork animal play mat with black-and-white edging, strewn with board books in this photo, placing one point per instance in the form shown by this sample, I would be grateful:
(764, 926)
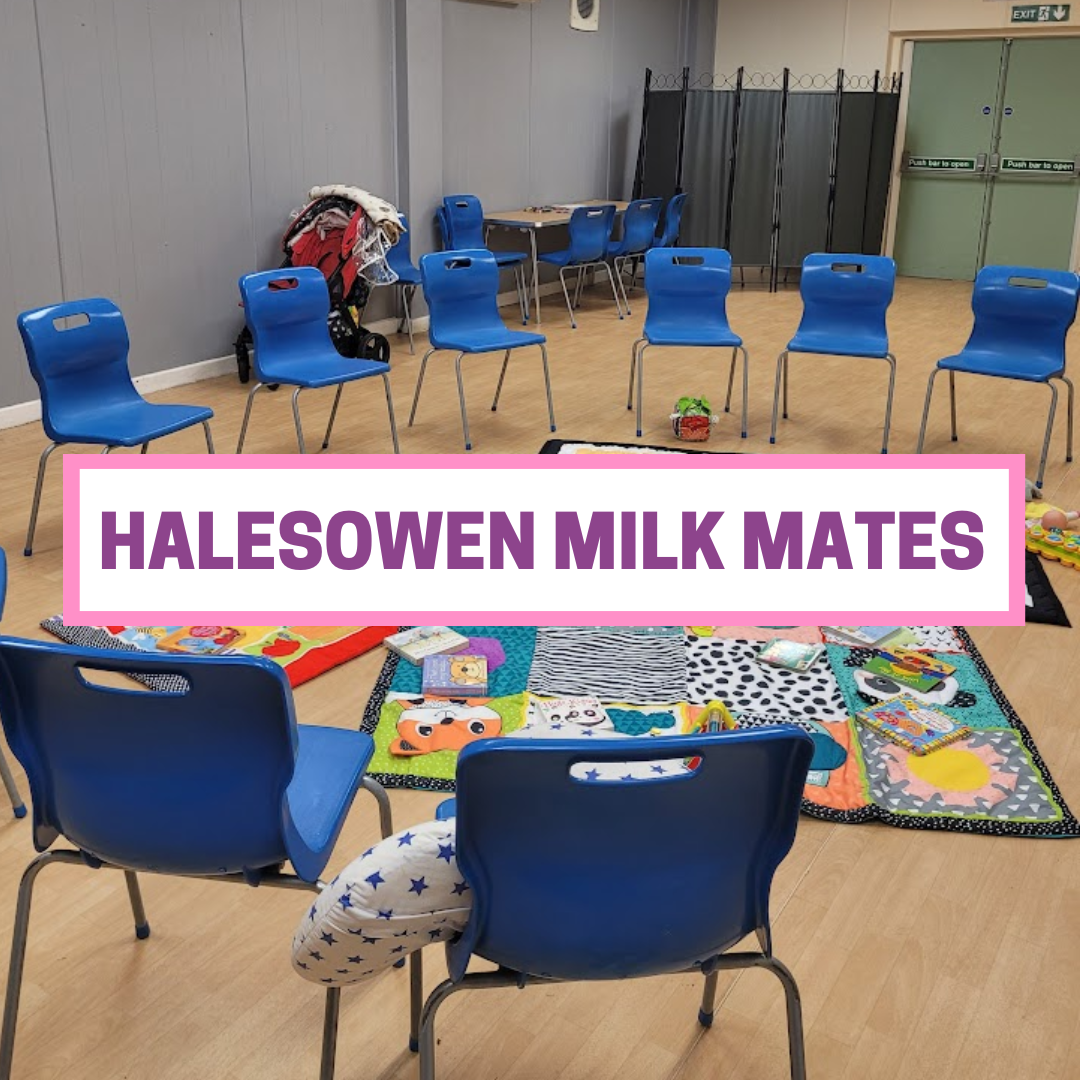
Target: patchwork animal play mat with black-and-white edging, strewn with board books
(660, 680)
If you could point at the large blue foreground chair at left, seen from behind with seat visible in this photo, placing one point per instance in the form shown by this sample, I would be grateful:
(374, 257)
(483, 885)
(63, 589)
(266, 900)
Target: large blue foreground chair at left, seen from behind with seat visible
(183, 784)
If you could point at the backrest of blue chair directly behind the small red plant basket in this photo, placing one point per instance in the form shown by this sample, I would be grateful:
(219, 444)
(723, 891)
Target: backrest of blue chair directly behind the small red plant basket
(688, 286)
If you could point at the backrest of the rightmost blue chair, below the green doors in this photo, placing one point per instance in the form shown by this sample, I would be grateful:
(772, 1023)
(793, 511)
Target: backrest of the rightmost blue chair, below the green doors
(1021, 312)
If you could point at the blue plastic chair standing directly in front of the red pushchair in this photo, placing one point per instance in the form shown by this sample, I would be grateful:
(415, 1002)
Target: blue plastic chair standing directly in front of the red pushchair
(287, 312)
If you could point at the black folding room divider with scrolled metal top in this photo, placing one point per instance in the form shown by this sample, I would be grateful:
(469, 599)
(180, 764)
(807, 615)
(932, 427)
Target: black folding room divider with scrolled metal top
(777, 167)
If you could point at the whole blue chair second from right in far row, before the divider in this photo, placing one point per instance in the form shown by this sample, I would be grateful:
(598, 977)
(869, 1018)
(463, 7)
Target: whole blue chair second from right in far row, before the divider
(845, 303)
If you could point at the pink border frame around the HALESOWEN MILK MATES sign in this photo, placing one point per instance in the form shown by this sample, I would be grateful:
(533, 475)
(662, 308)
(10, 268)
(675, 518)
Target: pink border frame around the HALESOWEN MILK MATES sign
(1015, 464)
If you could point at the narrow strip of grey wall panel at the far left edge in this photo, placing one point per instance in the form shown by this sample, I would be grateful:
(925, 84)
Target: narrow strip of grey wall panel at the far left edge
(30, 267)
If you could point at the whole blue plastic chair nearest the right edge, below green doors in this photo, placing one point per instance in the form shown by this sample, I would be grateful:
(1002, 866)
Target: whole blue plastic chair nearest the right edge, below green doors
(1022, 319)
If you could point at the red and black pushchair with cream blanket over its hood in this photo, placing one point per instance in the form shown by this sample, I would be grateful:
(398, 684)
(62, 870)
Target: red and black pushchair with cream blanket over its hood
(333, 234)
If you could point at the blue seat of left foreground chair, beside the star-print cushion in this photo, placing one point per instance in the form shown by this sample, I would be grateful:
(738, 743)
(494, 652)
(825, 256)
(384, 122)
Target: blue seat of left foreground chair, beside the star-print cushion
(330, 766)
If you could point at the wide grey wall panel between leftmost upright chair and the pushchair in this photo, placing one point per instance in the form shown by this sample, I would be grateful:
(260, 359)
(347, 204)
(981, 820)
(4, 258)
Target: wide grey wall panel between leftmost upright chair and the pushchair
(146, 127)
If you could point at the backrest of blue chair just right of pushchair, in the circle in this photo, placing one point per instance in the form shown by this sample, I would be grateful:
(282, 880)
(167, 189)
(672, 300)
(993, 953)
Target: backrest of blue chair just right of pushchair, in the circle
(462, 290)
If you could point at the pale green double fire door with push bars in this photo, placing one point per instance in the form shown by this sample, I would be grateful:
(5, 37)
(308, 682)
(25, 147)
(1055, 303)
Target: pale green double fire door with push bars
(992, 157)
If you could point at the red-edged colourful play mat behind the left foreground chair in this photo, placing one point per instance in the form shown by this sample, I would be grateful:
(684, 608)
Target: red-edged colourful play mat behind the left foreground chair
(304, 652)
